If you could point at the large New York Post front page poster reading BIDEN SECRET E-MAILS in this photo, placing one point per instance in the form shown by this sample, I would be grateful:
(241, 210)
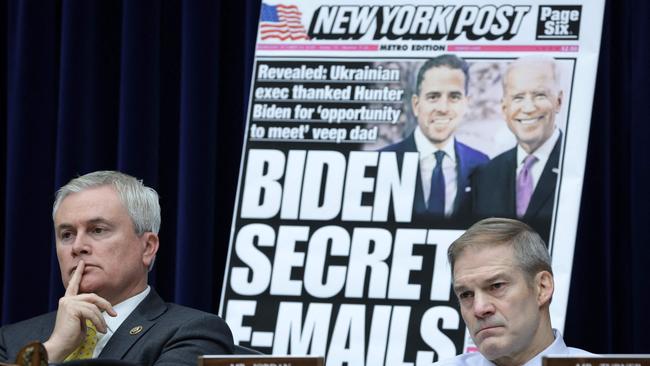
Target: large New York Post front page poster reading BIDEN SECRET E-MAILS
(378, 133)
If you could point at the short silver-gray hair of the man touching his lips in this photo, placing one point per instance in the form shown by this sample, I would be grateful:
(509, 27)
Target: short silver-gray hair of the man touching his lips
(140, 201)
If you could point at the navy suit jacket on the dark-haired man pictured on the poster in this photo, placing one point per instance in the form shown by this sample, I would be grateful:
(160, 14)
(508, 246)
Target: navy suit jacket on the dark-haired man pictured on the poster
(467, 159)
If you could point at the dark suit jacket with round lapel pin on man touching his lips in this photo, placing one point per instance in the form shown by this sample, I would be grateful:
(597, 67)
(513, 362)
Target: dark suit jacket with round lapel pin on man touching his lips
(171, 335)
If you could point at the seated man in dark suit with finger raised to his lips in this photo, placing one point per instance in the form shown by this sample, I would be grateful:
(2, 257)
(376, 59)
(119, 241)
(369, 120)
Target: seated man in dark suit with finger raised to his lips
(106, 226)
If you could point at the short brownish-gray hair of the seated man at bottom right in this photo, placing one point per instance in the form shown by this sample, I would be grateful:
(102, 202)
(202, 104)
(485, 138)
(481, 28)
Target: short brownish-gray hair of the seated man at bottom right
(530, 250)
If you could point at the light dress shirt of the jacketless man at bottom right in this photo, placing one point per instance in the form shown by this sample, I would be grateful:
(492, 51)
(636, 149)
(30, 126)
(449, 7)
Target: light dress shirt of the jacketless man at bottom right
(558, 347)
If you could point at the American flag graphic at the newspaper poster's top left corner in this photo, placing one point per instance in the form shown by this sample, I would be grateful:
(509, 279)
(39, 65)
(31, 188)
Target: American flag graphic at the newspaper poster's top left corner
(281, 22)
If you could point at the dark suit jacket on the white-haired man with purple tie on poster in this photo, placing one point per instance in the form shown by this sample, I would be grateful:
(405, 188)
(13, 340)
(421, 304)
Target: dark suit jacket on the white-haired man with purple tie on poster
(494, 190)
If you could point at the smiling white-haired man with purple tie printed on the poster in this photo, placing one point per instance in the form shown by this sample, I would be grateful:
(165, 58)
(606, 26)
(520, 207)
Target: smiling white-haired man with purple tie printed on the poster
(520, 183)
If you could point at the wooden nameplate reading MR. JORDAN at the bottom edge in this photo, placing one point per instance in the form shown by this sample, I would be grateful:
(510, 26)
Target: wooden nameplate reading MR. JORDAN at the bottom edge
(260, 360)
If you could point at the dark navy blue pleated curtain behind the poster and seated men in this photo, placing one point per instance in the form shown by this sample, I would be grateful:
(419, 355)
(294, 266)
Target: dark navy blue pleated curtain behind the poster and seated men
(158, 89)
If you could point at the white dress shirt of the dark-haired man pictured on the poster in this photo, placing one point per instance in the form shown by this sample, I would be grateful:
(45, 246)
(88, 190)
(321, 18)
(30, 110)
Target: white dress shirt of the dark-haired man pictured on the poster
(428, 162)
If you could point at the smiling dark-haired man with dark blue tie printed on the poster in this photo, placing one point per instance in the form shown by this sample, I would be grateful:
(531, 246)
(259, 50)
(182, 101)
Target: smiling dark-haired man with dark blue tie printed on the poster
(439, 105)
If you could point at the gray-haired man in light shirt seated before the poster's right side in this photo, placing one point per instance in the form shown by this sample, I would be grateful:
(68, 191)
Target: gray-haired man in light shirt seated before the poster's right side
(502, 277)
